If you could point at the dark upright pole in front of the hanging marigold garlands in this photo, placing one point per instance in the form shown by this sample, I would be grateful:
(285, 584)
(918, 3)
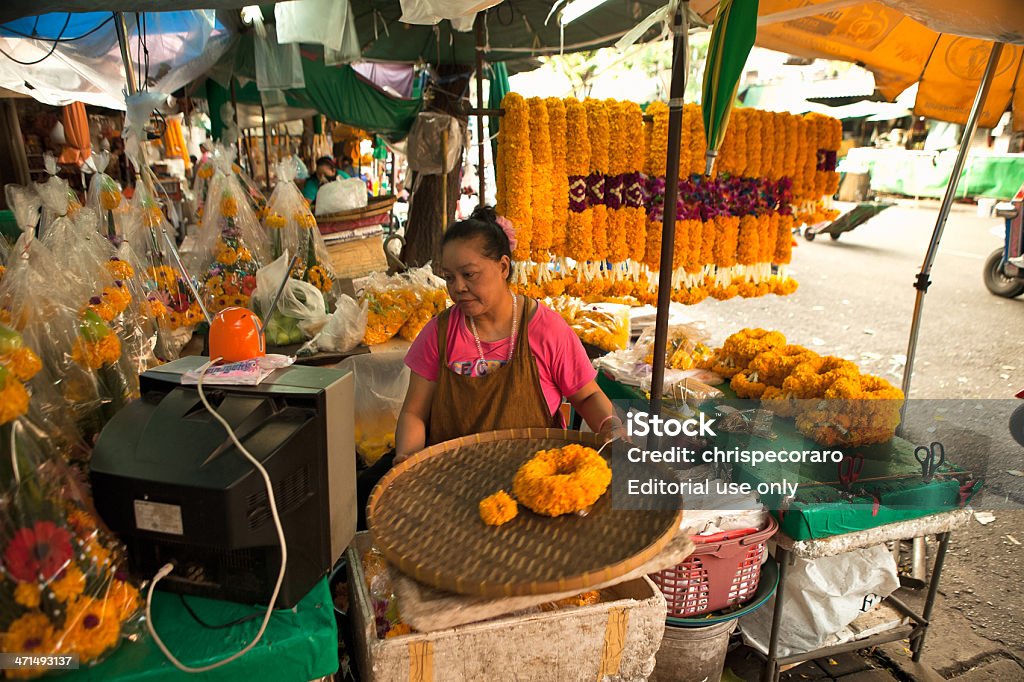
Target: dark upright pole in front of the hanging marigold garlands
(680, 48)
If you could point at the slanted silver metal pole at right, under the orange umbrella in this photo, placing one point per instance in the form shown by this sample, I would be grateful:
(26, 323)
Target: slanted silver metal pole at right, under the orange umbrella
(948, 202)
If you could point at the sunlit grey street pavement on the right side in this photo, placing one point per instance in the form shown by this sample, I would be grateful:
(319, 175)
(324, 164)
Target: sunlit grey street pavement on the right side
(856, 301)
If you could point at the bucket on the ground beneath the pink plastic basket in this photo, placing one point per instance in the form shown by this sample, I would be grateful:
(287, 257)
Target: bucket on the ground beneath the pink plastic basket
(693, 655)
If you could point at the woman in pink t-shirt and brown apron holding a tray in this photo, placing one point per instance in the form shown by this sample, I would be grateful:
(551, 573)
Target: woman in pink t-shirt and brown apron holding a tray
(495, 360)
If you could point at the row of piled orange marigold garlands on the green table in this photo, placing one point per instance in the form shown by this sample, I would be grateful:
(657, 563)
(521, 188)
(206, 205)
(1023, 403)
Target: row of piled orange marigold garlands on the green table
(833, 402)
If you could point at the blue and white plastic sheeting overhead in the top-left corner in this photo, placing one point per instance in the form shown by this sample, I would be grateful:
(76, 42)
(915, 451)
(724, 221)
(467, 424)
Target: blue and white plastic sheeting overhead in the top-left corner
(182, 47)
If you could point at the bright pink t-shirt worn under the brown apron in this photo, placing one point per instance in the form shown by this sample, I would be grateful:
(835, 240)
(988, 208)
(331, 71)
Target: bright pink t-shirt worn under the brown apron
(562, 361)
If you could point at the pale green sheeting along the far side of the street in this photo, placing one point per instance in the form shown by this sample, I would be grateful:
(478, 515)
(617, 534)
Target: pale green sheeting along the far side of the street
(927, 174)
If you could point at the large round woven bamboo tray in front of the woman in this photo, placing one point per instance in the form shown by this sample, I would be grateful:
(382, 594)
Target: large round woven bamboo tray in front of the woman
(424, 518)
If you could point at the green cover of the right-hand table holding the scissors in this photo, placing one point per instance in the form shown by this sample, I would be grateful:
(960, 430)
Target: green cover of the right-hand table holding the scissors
(819, 510)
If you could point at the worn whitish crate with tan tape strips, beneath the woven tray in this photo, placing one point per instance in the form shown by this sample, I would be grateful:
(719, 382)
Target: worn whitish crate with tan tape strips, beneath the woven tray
(614, 638)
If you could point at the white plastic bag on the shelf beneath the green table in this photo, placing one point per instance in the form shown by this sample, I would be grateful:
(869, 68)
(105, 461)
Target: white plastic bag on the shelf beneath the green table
(823, 598)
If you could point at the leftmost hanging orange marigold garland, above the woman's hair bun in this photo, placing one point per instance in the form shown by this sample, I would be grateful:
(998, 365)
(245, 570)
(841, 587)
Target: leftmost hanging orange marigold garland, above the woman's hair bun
(518, 163)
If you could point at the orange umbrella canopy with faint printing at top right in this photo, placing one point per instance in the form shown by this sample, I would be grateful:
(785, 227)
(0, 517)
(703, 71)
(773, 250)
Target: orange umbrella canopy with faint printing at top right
(943, 45)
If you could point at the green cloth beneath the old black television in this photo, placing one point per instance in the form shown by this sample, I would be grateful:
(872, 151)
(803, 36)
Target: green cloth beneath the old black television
(300, 645)
